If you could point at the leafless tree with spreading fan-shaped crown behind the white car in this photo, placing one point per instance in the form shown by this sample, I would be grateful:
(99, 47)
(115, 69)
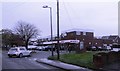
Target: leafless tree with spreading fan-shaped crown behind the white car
(26, 31)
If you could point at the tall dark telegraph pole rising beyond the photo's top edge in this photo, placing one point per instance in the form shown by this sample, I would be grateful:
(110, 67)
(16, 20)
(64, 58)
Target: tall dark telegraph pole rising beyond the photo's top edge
(58, 45)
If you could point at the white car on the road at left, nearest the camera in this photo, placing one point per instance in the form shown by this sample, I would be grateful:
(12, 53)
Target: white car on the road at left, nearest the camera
(19, 52)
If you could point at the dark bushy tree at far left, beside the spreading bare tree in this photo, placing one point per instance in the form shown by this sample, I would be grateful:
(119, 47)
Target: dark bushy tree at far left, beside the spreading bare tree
(9, 39)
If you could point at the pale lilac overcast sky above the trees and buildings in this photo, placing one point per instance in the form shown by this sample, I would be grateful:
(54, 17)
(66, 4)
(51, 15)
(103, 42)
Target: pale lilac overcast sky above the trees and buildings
(98, 16)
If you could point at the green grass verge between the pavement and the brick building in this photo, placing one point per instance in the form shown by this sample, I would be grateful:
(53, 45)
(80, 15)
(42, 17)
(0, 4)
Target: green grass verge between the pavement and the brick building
(83, 59)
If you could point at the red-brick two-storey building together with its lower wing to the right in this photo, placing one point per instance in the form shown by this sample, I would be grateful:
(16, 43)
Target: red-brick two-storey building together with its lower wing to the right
(89, 40)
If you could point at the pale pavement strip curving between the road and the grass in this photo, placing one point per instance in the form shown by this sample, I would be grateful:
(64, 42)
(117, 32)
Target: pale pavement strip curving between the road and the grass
(62, 65)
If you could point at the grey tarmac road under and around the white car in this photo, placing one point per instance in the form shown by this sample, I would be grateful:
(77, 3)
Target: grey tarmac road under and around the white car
(26, 62)
